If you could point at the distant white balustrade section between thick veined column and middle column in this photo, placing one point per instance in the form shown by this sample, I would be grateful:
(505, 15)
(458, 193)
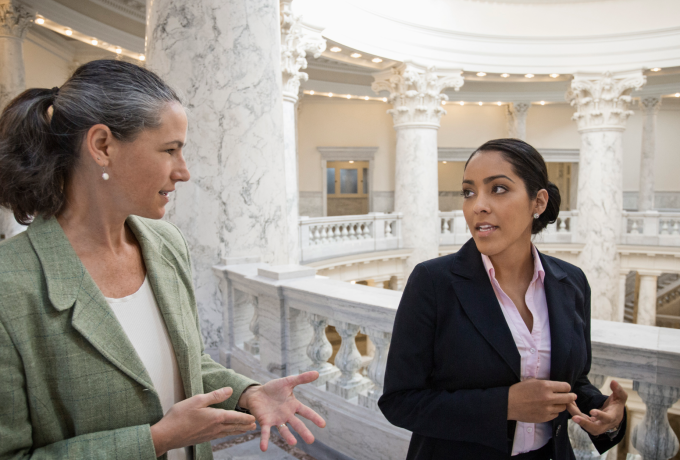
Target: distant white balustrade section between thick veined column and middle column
(326, 237)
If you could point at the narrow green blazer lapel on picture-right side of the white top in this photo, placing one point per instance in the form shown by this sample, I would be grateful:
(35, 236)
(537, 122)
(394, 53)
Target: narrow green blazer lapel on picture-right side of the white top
(165, 284)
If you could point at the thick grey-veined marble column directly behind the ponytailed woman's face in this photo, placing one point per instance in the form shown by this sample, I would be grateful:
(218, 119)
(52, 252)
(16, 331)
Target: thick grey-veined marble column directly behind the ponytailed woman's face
(224, 57)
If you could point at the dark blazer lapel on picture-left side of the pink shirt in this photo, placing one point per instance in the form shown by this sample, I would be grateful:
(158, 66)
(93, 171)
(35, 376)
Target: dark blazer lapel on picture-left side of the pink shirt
(475, 293)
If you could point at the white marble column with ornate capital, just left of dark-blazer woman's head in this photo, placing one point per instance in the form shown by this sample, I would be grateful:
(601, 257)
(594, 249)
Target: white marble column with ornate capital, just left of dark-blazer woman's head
(416, 98)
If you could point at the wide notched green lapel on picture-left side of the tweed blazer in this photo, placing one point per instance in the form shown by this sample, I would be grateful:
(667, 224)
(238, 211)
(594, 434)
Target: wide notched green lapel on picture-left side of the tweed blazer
(70, 286)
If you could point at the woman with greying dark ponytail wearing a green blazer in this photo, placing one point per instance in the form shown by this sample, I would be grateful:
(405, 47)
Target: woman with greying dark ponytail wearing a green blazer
(101, 355)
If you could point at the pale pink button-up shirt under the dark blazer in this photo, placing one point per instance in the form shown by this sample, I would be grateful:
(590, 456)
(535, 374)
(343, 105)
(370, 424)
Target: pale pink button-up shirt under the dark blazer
(533, 347)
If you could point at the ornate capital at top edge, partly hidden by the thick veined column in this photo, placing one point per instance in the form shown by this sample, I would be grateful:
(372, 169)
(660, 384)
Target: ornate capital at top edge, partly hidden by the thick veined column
(295, 43)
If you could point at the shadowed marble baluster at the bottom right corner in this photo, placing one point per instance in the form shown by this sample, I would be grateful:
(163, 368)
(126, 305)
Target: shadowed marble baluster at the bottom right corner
(653, 437)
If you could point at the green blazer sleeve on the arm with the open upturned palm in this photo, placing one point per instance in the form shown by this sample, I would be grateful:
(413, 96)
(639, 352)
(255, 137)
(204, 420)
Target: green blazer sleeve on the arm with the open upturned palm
(214, 375)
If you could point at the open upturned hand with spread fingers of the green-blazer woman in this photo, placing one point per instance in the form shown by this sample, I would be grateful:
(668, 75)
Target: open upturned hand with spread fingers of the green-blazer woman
(274, 404)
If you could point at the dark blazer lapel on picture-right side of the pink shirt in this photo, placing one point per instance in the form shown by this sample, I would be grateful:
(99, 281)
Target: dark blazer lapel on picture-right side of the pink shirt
(560, 299)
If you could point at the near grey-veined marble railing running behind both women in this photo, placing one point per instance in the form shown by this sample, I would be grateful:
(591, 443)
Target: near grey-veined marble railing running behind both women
(275, 322)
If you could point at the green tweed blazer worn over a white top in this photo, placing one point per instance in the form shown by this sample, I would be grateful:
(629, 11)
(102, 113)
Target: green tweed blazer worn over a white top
(71, 383)
